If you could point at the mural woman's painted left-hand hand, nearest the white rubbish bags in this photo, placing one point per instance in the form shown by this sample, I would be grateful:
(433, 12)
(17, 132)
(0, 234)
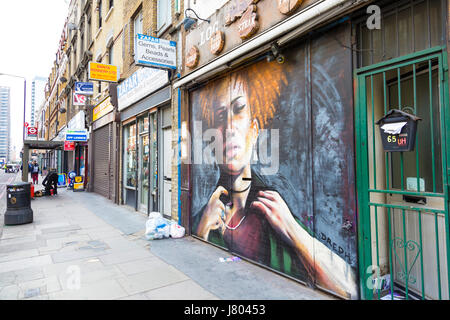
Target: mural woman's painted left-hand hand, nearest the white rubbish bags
(213, 215)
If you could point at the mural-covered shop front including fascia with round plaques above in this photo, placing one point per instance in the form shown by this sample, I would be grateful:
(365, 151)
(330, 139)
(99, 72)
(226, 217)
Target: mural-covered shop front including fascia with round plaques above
(270, 175)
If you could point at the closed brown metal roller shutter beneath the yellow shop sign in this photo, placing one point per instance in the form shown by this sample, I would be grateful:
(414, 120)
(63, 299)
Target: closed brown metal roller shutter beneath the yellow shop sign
(102, 161)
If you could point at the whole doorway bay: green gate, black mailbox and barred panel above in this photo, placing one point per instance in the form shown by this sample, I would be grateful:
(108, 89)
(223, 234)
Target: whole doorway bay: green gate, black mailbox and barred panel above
(403, 179)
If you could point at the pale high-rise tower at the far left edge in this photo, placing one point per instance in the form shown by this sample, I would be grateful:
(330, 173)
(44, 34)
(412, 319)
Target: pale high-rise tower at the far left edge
(5, 128)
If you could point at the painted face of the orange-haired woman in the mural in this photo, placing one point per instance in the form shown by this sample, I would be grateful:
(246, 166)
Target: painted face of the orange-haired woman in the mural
(233, 118)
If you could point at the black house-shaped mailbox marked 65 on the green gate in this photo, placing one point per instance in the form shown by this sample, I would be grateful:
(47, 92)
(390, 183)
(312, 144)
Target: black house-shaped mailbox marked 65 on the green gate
(398, 130)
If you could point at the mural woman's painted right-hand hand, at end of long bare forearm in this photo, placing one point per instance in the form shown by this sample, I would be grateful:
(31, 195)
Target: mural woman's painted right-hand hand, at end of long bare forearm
(276, 211)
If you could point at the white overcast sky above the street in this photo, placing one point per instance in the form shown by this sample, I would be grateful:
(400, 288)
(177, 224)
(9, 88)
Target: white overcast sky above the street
(30, 31)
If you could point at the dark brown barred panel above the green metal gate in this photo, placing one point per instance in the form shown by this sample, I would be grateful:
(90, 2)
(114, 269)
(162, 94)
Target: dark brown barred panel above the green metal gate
(406, 27)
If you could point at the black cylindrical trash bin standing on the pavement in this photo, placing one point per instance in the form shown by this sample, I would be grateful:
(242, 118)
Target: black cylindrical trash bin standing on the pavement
(18, 204)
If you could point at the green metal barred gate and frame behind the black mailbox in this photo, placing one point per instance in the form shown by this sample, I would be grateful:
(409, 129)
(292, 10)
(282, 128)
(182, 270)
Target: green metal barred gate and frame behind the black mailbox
(403, 197)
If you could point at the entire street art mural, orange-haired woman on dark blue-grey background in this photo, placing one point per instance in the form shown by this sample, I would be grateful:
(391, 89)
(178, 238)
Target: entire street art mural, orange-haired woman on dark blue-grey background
(272, 170)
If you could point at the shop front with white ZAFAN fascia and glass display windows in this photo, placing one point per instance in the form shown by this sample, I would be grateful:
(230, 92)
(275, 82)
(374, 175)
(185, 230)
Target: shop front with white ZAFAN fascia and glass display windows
(144, 102)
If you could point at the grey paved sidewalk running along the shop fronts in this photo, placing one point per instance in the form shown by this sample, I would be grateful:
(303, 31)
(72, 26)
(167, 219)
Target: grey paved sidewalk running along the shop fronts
(82, 246)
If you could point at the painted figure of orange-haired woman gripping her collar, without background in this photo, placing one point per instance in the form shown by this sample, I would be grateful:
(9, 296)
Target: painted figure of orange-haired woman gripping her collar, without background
(243, 213)
